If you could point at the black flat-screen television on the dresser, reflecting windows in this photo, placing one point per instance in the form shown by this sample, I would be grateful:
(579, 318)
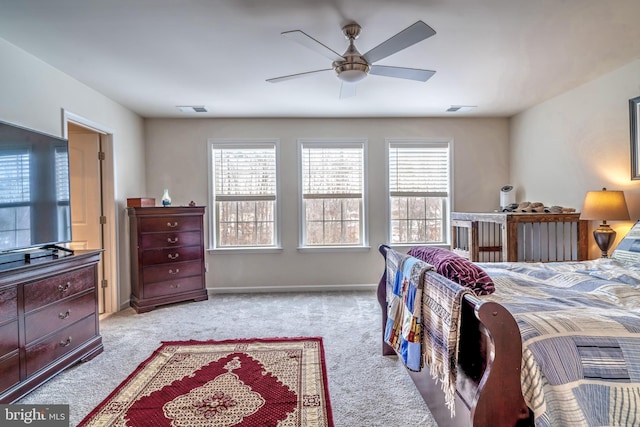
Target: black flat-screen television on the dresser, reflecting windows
(34, 189)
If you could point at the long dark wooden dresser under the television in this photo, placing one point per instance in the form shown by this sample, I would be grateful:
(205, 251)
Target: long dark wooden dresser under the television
(48, 319)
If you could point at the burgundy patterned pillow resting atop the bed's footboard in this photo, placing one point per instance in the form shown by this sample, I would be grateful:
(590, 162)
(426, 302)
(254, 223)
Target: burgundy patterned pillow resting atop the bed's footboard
(455, 268)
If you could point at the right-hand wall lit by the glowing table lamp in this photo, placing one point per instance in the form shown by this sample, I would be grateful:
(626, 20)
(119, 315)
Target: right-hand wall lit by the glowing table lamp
(578, 142)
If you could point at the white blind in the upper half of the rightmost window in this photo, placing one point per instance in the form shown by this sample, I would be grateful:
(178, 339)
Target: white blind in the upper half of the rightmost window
(419, 169)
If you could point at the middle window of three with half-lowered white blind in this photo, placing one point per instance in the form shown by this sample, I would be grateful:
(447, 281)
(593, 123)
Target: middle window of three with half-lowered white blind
(332, 182)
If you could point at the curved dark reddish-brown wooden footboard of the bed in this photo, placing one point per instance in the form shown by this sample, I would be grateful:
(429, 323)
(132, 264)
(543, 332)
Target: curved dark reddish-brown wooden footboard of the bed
(488, 389)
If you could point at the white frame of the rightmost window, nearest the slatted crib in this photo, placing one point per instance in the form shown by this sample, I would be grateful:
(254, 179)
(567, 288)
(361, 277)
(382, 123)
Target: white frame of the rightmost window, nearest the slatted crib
(448, 208)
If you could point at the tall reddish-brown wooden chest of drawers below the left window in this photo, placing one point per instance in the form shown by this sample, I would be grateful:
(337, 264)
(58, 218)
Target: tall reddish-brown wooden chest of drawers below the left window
(167, 256)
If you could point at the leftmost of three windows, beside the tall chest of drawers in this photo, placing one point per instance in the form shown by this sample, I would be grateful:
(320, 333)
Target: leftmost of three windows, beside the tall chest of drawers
(244, 183)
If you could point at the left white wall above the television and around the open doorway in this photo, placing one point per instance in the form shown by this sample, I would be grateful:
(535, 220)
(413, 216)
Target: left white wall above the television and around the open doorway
(33, 96)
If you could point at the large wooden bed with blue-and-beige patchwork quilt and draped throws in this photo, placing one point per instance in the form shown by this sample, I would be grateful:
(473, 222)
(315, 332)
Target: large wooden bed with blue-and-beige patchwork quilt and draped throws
(551, 344)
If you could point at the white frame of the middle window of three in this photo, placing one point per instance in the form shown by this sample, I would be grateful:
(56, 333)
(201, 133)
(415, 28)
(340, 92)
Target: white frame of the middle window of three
(364, 229)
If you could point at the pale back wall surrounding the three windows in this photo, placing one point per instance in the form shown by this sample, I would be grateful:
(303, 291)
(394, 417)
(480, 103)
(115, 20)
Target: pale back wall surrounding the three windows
(177, 159)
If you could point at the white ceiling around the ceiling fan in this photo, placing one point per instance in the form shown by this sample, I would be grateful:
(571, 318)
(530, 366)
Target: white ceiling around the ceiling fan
(151, 55)
